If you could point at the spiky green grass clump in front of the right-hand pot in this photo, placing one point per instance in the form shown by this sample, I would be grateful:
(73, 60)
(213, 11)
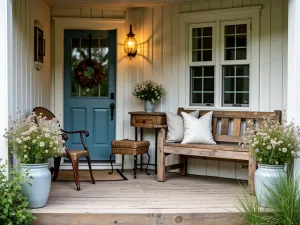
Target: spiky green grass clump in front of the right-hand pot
(283, 201)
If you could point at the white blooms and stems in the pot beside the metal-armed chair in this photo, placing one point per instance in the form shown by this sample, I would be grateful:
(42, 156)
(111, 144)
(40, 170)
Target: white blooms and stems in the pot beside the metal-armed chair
(34, 139)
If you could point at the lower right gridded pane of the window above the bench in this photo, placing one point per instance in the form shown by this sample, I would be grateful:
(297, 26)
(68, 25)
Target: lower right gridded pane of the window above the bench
(236, 85)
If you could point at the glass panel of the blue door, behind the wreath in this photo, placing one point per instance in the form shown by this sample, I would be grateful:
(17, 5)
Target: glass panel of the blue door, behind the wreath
(99, 52)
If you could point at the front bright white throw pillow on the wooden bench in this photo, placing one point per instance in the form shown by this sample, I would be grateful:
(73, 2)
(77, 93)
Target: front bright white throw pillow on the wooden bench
(197, 131)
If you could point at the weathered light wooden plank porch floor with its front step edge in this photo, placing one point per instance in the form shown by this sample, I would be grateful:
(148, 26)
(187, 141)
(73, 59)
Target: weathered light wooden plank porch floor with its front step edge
(179, 200)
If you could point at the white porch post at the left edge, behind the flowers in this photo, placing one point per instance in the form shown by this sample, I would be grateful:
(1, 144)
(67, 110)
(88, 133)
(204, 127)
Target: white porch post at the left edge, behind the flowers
(5, 18)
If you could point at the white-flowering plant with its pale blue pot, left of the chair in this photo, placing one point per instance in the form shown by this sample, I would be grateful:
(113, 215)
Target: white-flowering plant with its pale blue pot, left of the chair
(34, 140)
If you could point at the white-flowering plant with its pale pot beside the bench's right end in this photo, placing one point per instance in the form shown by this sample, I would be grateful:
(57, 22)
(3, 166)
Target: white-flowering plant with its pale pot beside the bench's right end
(273, 145)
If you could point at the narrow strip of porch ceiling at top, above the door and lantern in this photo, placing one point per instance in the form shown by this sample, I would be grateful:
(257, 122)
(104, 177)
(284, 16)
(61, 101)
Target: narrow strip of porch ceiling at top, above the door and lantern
(113, 3)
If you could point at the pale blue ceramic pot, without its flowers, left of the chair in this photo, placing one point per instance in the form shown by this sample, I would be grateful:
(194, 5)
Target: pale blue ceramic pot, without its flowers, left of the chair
(38, 192)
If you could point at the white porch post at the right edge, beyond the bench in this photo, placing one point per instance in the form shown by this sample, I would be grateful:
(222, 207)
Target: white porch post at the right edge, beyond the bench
(293, 95)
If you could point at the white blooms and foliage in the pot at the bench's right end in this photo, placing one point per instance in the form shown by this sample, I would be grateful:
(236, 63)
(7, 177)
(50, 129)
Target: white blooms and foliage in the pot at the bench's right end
(272, 142)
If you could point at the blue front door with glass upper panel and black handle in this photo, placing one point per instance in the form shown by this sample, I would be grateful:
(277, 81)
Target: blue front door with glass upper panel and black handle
(90, 108)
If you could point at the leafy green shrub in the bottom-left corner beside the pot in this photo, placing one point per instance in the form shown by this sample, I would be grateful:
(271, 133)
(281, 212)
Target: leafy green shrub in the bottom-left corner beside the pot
(13, 204)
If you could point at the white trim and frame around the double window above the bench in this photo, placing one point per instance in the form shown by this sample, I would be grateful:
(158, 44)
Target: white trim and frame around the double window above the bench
(217, 16)
